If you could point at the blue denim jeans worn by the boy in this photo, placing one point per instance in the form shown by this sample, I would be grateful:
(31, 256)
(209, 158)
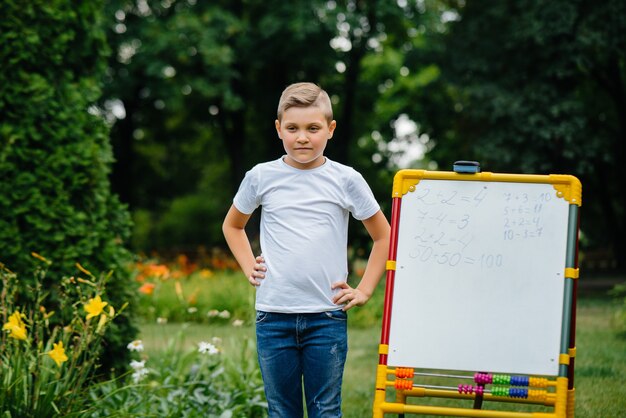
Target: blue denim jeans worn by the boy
(297, 348)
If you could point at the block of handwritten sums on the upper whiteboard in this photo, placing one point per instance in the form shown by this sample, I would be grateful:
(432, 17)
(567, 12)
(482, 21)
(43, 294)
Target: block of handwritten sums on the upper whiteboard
(467, 228)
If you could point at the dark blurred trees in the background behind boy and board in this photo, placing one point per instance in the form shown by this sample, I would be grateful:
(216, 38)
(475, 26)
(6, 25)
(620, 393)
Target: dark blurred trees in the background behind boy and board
(521, 86)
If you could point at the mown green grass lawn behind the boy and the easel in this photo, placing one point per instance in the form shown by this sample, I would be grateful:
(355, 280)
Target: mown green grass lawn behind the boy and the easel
(600, 361)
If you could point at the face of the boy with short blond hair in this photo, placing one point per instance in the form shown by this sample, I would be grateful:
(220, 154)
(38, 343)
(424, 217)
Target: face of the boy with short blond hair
(304, 132)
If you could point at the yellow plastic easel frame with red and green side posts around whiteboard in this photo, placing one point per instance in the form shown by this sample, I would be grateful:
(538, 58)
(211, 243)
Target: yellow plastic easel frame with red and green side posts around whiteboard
(561, 399)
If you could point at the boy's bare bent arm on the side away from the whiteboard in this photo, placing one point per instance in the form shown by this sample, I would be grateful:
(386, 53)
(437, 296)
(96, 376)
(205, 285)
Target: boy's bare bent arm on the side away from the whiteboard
(239, 244)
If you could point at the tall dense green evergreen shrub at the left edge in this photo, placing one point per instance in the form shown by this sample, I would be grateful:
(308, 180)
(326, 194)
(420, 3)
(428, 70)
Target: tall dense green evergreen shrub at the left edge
(55, 154)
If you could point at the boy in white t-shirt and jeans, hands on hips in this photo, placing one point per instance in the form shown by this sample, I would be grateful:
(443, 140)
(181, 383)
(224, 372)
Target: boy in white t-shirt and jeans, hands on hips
(302, 295)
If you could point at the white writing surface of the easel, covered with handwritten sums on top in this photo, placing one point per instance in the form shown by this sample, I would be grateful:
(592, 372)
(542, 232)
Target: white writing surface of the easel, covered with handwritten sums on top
(479, 280)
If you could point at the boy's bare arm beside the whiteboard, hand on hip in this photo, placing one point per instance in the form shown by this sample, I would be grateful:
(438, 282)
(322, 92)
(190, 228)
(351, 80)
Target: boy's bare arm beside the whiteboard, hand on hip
(379, 230)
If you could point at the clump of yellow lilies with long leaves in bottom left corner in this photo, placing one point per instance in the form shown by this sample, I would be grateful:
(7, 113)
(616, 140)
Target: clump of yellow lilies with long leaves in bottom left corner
(46, 368)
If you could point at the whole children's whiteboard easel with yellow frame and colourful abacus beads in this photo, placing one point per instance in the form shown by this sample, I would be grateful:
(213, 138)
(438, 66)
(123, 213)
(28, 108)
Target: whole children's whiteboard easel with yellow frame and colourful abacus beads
(447, 246)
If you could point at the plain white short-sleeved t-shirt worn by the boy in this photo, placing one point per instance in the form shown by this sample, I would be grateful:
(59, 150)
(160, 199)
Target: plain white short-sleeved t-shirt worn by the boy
(304, 230)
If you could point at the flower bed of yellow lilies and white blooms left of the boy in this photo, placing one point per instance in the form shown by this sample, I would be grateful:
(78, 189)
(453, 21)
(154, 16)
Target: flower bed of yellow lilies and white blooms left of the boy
(38, 380)
